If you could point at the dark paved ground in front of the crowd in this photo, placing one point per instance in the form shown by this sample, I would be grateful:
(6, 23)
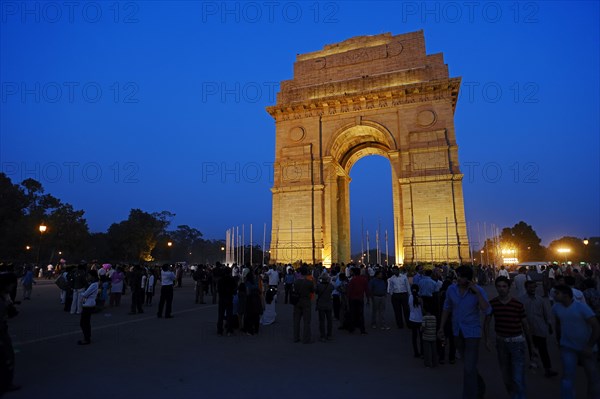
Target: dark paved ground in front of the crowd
(141, 356)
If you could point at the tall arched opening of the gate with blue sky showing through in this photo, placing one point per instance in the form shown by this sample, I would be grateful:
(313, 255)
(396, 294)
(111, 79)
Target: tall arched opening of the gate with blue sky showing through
(371, 210)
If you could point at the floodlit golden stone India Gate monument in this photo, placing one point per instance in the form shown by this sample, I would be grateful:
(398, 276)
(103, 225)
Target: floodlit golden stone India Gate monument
(368, 95)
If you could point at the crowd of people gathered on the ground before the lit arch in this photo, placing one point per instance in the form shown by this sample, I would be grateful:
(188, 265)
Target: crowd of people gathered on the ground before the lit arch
(441, 306)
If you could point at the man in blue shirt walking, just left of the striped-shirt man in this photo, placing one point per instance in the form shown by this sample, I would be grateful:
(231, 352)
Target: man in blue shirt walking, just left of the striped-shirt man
(465, 300)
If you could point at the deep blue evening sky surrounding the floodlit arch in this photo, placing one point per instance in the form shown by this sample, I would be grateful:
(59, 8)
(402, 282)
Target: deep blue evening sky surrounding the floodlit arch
(161, 106)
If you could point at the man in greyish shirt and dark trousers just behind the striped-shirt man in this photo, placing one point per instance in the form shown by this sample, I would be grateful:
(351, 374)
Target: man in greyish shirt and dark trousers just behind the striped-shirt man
(539, 320)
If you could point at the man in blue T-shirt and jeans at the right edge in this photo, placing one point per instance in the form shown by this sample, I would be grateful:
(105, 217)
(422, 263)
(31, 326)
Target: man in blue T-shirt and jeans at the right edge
(577, 330)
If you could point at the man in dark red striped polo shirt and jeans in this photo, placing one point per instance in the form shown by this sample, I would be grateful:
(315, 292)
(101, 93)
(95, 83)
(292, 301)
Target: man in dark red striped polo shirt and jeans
(511, 330)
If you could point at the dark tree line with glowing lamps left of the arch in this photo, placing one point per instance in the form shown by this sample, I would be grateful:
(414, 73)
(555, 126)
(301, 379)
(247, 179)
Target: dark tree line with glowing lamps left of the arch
(142, 237)
